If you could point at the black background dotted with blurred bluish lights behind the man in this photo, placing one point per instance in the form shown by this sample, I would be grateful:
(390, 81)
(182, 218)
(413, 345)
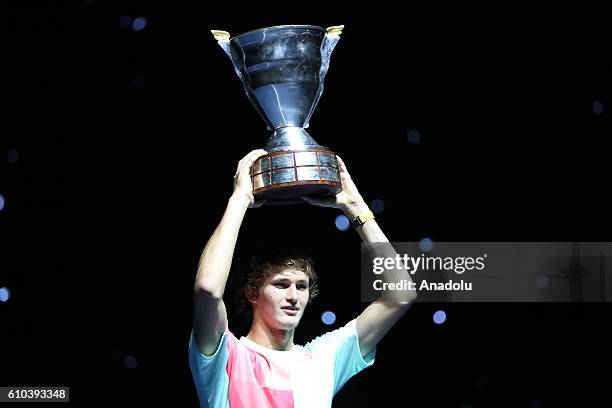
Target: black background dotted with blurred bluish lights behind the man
(127, 142)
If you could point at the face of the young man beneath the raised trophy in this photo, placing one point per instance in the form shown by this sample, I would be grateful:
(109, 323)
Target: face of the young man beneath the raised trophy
(282, 299)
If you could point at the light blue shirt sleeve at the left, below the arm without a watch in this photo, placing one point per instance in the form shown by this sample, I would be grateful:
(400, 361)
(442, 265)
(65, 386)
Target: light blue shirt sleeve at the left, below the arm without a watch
(210, 372)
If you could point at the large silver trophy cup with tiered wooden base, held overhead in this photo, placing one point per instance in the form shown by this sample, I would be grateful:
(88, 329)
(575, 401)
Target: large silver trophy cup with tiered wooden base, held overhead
(282, 70)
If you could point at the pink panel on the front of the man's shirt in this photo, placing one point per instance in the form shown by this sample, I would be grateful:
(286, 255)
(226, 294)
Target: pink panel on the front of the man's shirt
(250, 376)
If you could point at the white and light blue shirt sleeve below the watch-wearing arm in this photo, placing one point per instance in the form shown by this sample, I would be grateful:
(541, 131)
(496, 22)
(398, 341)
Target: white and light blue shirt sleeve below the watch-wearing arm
(342, 348)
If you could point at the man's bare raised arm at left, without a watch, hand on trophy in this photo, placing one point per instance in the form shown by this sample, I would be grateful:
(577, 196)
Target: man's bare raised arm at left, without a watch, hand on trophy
(210, 317)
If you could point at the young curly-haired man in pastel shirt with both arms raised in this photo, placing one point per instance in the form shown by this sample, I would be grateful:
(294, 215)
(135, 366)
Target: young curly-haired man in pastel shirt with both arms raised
(265, 368)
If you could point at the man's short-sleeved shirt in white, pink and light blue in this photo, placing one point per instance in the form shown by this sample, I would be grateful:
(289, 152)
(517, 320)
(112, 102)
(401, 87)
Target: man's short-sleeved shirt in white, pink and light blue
(242, 373)
